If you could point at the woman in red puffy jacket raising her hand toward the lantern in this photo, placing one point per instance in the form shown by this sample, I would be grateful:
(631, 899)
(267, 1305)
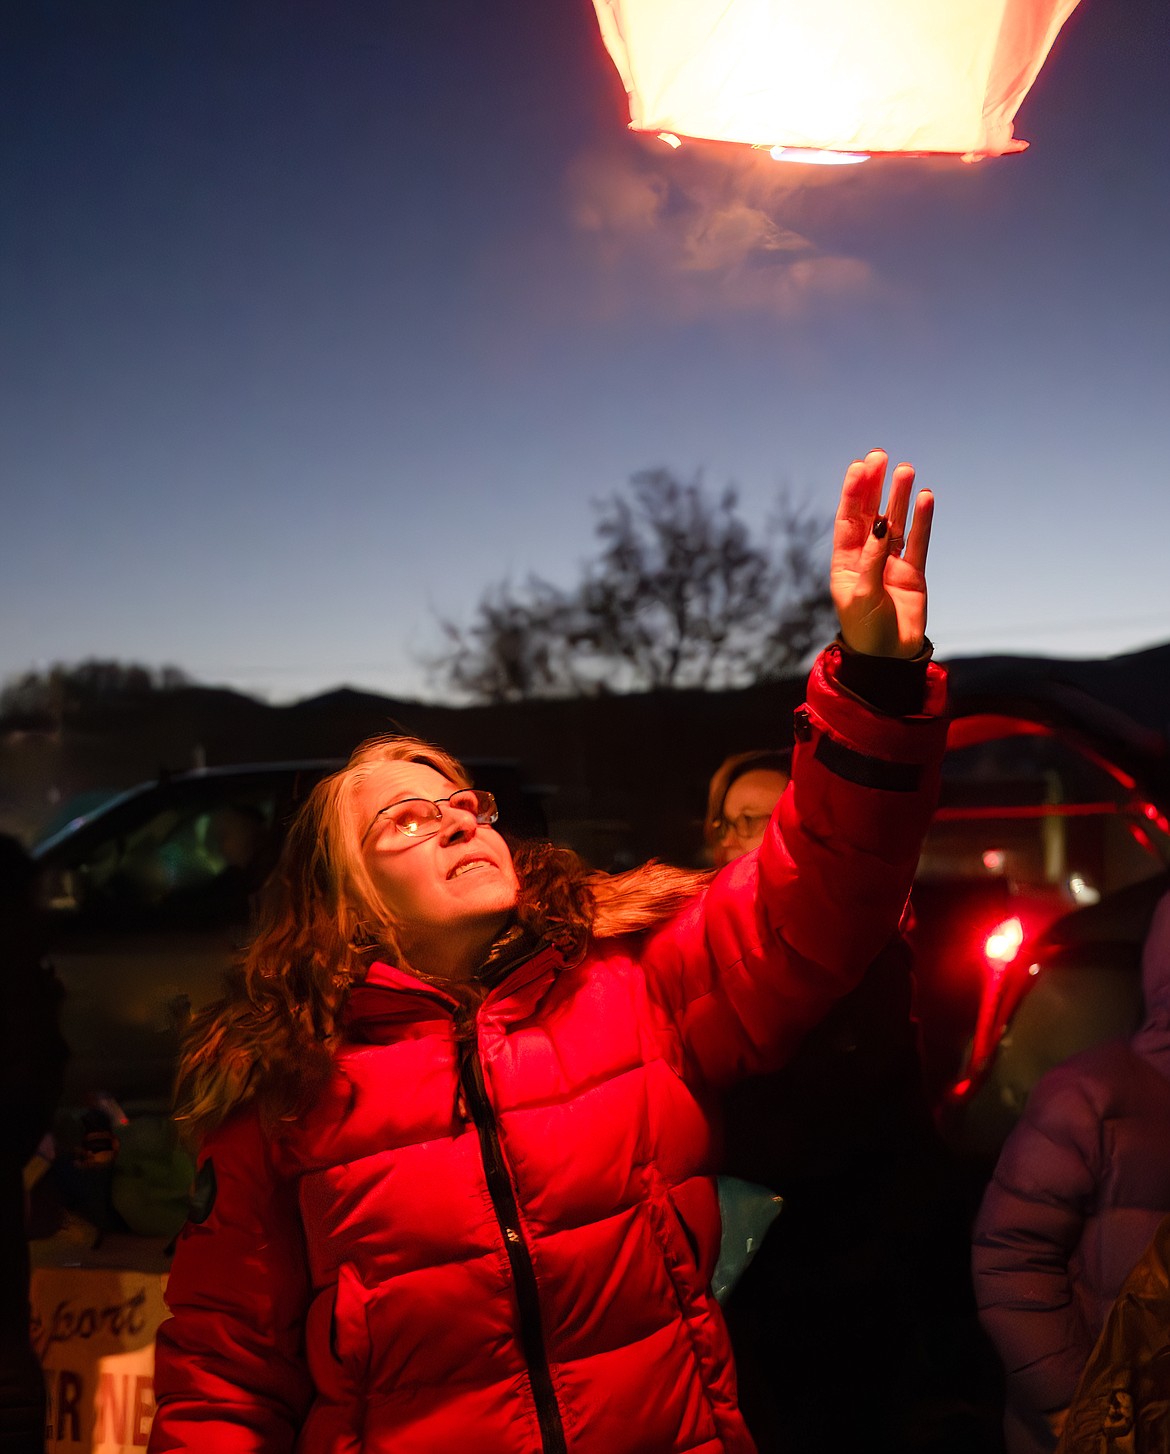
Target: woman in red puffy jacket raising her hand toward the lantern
(457, 1117)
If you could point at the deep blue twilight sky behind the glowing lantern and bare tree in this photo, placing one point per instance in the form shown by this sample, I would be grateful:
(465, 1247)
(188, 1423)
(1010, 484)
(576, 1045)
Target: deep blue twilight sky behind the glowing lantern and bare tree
(320, 316)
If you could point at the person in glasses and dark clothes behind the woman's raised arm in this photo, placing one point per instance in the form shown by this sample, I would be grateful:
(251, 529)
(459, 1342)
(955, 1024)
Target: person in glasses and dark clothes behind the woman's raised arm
(867, 1266)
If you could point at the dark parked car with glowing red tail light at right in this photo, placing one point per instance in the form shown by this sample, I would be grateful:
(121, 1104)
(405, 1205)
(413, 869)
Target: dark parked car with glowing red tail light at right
(1053, 809)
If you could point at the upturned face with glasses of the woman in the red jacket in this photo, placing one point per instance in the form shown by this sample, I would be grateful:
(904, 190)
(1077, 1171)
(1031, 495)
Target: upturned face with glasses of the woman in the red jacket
(451, 891)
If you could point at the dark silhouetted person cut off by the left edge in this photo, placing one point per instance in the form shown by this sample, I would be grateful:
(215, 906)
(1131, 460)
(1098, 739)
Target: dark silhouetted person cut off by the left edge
(33, 1062)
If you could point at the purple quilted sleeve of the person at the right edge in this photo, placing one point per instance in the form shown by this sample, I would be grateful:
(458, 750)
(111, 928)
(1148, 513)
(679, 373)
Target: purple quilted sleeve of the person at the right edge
(1030, 1225)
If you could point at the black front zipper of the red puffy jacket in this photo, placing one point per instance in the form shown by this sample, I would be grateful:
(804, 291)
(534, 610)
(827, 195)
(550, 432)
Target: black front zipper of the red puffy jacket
(524, 1276)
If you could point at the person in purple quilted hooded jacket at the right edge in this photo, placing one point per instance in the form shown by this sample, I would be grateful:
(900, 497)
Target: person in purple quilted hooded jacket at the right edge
(1079, 1192)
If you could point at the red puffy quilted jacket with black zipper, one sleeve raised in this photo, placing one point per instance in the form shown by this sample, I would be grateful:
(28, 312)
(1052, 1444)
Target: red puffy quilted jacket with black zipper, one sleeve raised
(505, 1244)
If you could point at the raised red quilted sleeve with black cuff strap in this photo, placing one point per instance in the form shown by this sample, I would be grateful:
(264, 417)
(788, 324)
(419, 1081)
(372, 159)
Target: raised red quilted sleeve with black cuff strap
(786, 931)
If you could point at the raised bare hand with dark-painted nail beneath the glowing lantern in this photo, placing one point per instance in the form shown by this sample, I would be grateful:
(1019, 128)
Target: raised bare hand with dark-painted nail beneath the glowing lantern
(879, 581)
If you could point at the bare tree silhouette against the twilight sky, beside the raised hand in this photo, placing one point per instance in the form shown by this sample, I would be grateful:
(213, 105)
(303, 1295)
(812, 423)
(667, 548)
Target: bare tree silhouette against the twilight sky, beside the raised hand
(681, 595)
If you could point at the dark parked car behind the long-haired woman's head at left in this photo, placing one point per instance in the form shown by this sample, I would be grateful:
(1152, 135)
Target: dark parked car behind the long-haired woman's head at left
(149, 901)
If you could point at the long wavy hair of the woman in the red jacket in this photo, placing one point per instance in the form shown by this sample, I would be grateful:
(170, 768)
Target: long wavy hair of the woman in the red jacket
(320, 925)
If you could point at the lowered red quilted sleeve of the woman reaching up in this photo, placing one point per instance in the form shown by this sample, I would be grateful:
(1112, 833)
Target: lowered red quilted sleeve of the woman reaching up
(230, 1373)
